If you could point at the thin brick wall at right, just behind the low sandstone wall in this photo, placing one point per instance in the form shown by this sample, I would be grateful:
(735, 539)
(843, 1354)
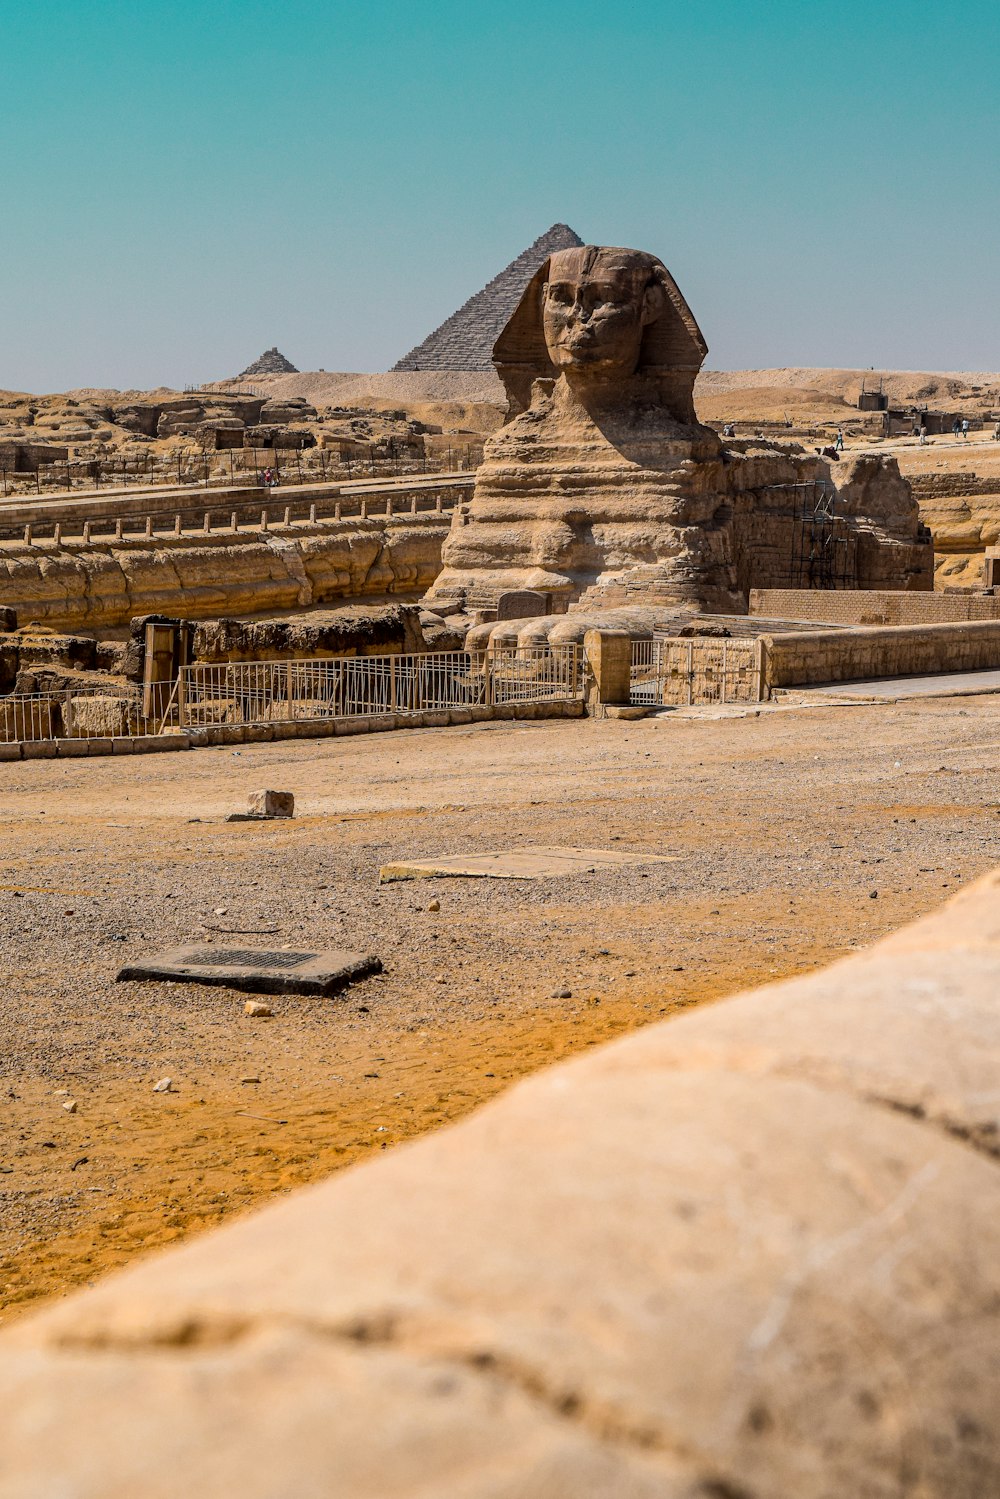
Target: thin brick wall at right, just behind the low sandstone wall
(872, 608)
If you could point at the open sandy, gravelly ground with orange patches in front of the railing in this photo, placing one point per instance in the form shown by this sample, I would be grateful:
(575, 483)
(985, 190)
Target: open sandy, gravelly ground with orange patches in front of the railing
(800, 834)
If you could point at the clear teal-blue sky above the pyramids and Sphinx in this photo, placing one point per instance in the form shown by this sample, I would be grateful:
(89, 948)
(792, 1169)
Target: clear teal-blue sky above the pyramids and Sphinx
(188, 184)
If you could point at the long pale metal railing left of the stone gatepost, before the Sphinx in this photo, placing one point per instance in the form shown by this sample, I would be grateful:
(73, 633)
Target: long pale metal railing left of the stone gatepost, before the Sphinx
(350, 687)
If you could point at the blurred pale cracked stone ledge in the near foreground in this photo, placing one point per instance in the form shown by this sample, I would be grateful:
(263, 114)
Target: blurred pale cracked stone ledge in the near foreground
(629, 1276)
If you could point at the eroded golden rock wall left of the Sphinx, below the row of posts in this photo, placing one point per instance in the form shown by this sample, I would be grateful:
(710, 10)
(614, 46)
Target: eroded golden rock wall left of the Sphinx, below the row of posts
(106, 584)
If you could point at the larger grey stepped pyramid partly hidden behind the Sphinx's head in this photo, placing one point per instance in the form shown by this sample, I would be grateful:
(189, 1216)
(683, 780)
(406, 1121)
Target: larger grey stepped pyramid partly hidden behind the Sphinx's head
(466, 341)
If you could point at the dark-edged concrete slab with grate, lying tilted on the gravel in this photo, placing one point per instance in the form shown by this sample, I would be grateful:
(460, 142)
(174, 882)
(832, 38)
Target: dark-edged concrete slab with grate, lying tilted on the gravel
(257, 971)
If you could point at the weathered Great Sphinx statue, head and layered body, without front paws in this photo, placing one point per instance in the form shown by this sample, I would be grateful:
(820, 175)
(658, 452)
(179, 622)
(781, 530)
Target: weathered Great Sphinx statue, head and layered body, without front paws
(605, 489)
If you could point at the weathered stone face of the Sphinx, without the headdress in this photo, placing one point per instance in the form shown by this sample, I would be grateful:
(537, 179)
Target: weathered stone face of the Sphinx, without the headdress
(594, 310)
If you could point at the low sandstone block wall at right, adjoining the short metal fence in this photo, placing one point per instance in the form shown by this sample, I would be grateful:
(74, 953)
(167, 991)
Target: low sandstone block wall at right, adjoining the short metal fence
(845, 656)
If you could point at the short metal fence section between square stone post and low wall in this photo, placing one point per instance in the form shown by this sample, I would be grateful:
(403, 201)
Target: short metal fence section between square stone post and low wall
(680, 674)
